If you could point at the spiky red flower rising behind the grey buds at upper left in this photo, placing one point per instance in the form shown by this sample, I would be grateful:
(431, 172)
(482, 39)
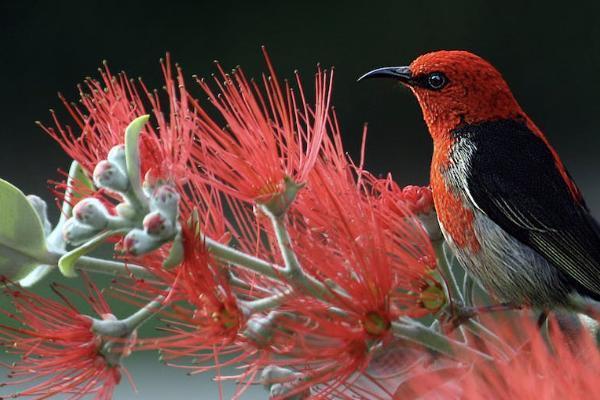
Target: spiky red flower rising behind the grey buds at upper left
(110, 104)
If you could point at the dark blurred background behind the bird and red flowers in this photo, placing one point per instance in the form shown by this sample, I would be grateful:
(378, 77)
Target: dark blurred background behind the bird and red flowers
(549, 52)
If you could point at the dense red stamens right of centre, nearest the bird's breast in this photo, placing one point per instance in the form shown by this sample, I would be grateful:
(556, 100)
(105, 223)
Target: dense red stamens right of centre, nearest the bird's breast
(379, 258)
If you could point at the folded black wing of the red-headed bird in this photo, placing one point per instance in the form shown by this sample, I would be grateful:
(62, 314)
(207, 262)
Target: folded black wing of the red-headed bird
(514, 180)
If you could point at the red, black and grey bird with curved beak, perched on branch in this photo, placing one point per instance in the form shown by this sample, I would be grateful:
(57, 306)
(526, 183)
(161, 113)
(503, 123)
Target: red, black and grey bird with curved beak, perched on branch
(506, 203)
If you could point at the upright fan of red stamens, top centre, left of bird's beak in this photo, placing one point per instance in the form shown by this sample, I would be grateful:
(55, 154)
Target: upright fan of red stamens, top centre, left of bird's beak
(271, 134)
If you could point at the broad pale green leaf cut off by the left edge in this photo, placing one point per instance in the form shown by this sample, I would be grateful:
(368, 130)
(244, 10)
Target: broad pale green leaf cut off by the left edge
(22, 240)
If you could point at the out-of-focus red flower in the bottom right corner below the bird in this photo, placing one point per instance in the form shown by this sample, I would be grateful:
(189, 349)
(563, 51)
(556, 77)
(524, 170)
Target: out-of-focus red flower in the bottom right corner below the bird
(538, 369)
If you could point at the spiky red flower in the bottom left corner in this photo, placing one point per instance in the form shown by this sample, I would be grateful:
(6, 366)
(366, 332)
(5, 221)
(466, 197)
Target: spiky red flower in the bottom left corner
(60, 354)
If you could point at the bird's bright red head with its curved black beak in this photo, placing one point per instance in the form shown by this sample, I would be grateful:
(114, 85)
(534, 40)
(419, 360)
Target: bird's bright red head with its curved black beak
(454, 88)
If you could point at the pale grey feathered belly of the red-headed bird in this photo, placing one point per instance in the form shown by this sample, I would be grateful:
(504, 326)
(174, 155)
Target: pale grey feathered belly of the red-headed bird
(510, 270)
